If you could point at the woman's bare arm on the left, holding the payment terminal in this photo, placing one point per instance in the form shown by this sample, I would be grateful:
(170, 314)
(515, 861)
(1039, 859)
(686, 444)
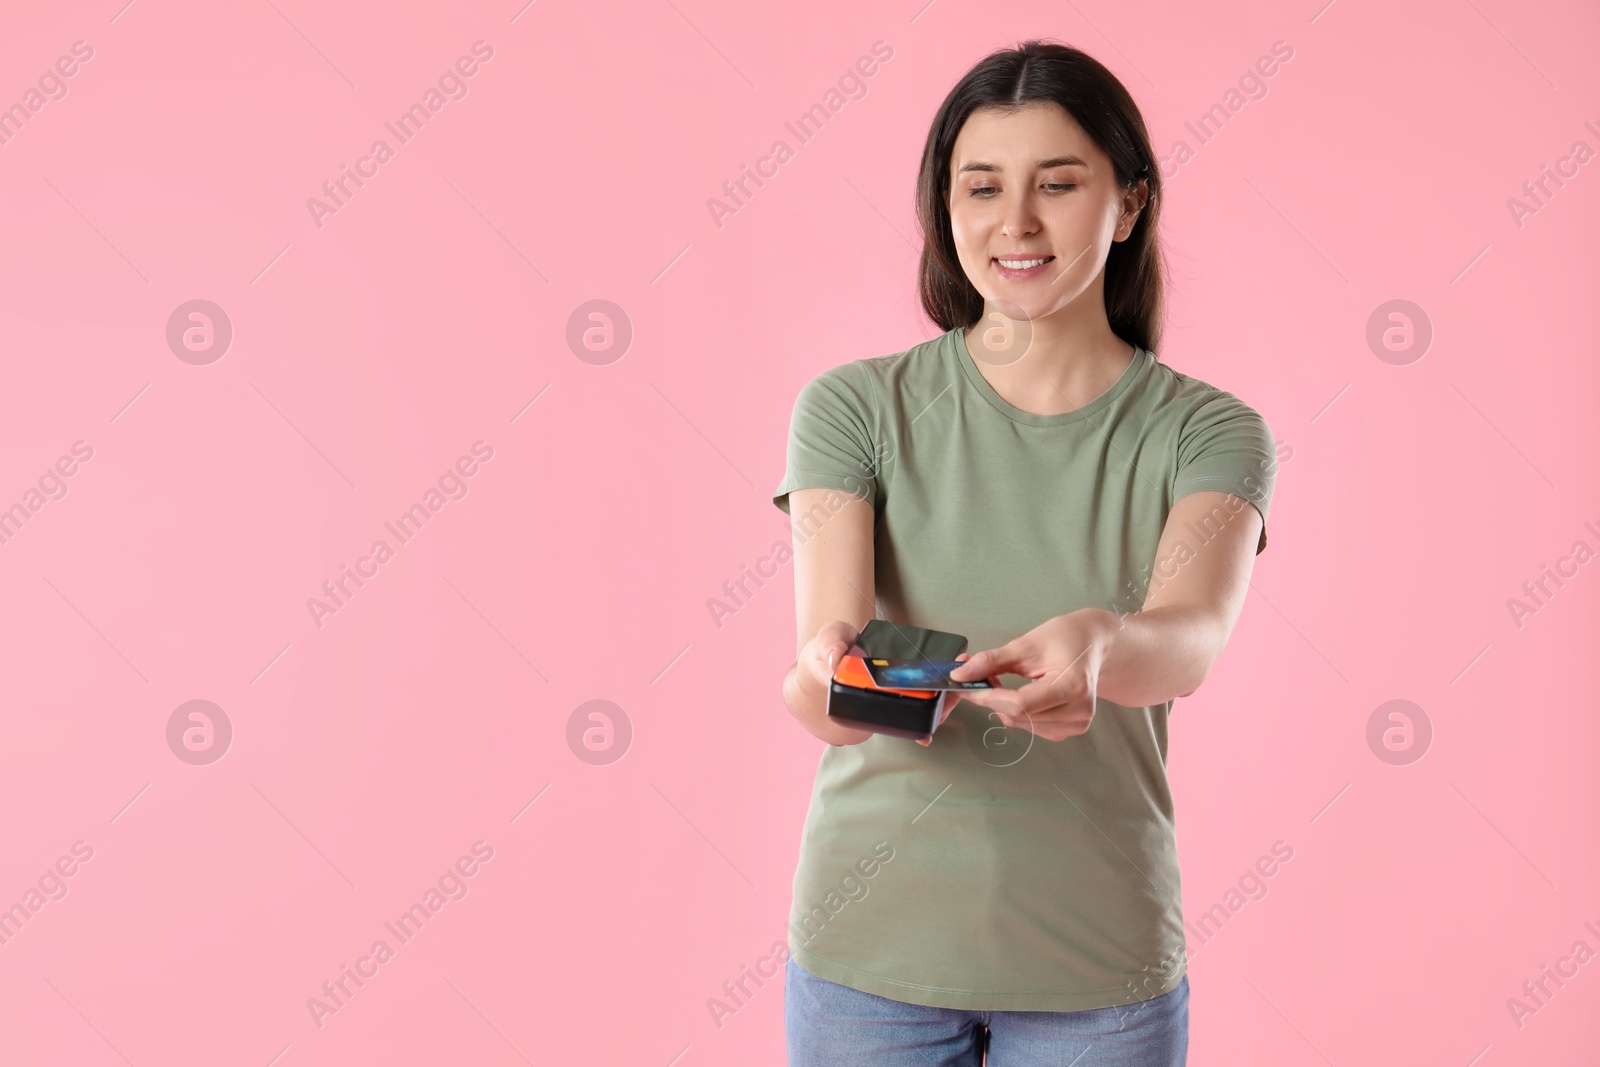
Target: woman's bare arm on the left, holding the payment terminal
(834, 599)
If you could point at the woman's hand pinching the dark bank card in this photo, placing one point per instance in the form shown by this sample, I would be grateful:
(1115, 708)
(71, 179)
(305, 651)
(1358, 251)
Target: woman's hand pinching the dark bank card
(1063, 657)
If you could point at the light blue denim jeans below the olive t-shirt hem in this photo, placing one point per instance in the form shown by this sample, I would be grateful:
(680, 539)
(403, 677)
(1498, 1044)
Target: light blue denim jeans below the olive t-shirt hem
(838, 1026)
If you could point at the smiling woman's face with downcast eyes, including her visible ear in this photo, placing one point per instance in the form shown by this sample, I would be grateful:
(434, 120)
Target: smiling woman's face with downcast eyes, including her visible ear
(1030, 185)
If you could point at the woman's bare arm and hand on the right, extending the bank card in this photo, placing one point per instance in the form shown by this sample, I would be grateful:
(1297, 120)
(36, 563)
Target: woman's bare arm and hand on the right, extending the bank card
(1151, 657)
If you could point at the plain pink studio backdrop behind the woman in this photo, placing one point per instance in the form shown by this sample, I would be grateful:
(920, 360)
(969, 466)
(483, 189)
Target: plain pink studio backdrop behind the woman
(430, 313)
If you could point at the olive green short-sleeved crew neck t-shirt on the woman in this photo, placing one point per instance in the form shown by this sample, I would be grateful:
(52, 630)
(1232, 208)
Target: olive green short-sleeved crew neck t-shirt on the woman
(994, 869)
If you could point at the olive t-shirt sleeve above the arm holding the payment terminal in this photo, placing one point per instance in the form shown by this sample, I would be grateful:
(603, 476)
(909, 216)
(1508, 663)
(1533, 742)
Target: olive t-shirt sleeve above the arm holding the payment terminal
(831, 438)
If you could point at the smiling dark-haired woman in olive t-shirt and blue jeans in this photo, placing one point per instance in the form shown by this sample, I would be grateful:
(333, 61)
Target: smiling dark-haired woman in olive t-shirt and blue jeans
(1089, 518)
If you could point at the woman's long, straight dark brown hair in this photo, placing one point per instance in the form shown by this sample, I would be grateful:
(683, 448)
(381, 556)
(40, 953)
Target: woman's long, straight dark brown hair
(1007, 81)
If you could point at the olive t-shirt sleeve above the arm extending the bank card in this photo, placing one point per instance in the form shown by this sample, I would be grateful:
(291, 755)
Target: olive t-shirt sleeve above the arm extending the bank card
(1228, 447)
